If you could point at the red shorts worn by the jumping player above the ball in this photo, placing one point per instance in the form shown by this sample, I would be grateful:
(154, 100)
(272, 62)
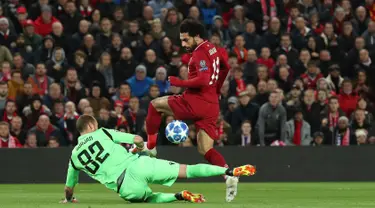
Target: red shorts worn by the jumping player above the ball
(203, 113)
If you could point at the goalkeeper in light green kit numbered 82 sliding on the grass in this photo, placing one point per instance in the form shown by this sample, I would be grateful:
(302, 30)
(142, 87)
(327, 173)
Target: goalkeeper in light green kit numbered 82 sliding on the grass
(100, 155)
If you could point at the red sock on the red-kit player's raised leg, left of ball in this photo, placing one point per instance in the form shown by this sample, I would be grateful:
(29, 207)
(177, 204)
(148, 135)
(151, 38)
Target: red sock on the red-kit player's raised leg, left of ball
(153, 121)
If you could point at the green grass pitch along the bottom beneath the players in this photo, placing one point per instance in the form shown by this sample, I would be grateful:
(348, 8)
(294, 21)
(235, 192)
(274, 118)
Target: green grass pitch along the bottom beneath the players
(254, 195)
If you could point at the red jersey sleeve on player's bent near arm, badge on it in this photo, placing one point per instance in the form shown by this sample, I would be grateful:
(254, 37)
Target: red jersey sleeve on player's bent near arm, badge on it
(200, 62)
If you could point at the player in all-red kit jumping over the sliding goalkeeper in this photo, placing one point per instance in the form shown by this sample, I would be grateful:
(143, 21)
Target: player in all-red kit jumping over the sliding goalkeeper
(200, 101)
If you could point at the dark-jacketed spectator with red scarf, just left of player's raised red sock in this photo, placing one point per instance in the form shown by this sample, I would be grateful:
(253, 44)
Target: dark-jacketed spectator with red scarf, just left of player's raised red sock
(135, 116)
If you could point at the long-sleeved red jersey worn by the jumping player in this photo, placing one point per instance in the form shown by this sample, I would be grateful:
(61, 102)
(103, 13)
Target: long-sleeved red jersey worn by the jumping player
(207, 72)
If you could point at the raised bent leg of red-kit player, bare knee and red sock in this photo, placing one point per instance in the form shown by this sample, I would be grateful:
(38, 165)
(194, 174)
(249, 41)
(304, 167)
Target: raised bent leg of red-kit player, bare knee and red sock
(153, 120)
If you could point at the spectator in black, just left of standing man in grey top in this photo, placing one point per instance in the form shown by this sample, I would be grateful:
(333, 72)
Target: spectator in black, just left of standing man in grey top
(247, 110)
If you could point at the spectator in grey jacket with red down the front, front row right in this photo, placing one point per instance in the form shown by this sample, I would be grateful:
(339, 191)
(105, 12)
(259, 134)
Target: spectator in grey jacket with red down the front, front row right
(298, 131)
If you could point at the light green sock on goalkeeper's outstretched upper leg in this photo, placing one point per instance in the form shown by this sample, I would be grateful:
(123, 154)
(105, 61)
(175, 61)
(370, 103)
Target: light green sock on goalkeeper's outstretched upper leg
(204, 170)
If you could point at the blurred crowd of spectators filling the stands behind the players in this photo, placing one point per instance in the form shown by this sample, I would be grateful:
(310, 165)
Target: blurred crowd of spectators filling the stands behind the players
(301, 70)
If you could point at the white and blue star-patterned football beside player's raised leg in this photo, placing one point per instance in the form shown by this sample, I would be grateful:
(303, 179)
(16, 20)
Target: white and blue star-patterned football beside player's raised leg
(177, 132)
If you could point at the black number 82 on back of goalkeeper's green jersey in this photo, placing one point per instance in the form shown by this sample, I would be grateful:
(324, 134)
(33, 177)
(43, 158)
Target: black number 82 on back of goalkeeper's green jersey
(90, 161)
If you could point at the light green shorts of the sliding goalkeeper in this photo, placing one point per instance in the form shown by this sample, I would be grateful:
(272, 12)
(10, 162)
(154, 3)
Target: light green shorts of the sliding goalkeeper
(146, 170)
